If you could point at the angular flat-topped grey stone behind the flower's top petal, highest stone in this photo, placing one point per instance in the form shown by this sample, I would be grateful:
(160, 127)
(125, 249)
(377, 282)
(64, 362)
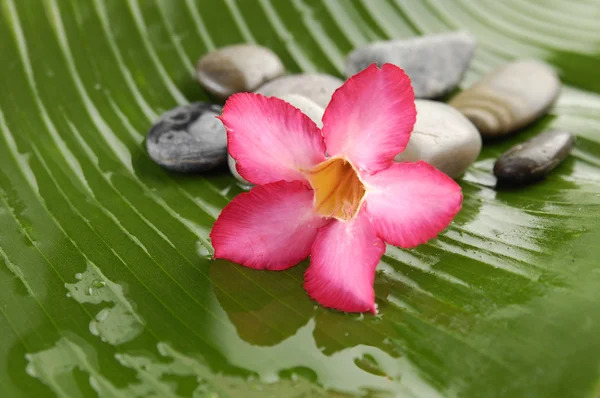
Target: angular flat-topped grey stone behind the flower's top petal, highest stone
(434, 63)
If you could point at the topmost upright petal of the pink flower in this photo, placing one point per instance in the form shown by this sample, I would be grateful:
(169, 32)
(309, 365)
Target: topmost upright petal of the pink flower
(370, 118)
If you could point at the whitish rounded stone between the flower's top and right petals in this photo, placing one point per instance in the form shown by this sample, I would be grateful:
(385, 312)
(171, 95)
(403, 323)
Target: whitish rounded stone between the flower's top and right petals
(442, 137)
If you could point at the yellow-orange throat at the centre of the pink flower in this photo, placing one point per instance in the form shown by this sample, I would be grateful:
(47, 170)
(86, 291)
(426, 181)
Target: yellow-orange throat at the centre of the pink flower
(338, 188)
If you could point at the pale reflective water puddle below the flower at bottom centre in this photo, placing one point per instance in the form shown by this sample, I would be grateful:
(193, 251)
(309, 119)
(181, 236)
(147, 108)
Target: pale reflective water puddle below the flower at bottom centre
(358, 368)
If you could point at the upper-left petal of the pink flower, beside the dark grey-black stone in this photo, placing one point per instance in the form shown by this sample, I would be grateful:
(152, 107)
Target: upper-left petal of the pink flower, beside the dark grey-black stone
(270, 139)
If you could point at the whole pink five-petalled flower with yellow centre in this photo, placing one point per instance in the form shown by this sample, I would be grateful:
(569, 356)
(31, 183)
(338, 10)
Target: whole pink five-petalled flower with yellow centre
(340, 209)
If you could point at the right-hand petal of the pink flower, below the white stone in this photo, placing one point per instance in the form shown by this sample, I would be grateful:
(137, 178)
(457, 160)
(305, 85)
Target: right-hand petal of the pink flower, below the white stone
(410, 203)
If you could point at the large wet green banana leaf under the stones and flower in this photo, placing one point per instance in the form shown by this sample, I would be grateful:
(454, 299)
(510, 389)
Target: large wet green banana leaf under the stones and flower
(106, 283)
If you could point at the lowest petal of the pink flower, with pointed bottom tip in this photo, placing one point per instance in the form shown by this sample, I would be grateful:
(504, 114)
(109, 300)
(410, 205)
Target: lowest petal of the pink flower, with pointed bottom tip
(342, 265)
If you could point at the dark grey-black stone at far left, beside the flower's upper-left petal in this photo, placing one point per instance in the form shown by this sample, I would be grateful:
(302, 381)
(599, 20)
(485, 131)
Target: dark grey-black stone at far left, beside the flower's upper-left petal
(189, 138)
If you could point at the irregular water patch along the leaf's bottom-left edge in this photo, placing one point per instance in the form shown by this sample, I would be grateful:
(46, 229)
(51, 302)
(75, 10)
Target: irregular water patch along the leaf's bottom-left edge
(155, 377)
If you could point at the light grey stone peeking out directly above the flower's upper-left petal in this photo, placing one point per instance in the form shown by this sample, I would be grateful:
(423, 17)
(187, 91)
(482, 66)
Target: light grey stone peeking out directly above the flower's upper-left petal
(317, 87)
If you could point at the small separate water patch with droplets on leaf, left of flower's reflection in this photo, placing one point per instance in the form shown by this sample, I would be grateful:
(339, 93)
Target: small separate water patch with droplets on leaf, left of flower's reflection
(116, 323)
